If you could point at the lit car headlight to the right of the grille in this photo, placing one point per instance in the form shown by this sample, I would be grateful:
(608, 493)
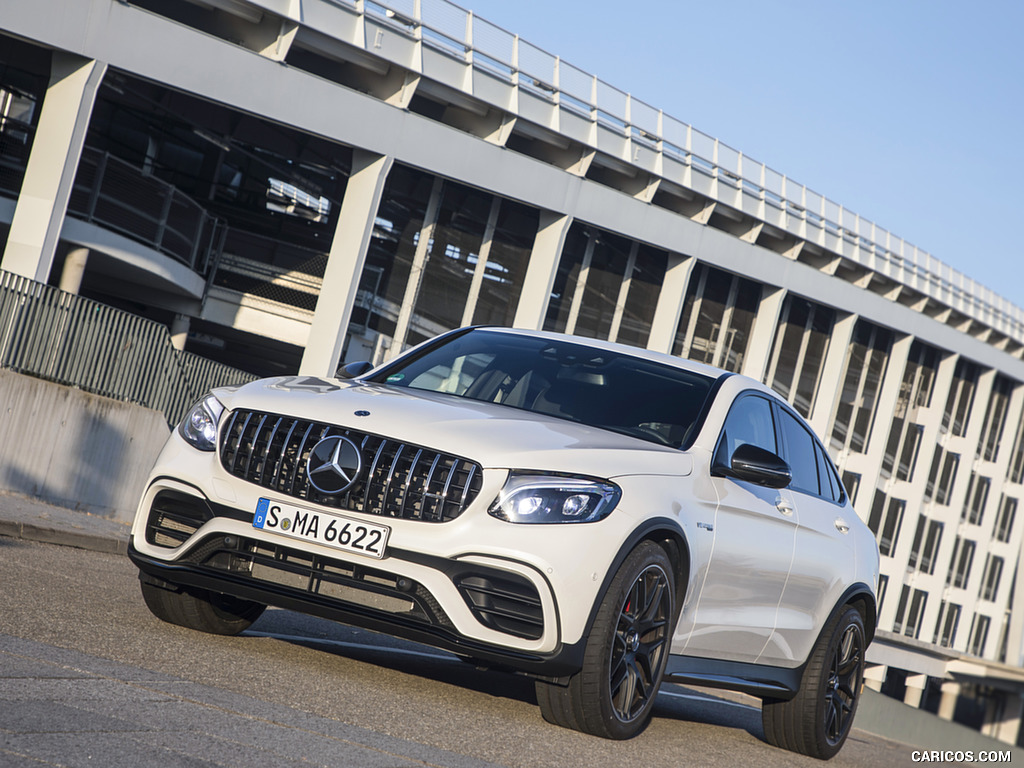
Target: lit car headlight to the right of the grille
(543, 499)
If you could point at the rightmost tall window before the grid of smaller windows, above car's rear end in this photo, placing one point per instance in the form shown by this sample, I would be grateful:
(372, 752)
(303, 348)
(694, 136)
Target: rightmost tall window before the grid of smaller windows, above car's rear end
(866, 368)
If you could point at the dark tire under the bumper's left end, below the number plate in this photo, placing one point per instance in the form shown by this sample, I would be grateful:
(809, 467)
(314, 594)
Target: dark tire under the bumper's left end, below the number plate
(200, 610)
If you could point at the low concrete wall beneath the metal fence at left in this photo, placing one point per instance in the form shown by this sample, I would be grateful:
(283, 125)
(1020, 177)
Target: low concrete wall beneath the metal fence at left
(74, 449)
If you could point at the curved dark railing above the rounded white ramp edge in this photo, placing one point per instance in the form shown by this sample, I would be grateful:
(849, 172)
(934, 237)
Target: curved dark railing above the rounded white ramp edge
(118, 196)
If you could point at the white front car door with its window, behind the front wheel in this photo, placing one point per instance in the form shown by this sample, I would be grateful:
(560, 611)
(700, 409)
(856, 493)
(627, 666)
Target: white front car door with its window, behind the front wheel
(753, 530)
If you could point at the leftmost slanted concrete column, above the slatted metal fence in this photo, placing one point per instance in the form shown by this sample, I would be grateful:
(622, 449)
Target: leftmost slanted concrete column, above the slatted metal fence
(57, 150)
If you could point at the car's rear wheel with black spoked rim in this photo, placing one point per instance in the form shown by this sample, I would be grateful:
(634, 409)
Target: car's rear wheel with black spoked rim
(819, 719)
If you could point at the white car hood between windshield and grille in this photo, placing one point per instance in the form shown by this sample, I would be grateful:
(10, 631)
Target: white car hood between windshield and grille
(496, 437)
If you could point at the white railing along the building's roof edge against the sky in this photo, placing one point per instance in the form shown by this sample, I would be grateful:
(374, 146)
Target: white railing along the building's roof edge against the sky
(705, 163)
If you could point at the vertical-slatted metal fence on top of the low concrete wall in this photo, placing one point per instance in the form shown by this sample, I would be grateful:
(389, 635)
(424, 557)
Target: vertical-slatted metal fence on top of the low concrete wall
(72, 340)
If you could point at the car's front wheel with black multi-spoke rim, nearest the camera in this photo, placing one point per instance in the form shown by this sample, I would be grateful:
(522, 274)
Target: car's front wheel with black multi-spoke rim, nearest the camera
(614, 695)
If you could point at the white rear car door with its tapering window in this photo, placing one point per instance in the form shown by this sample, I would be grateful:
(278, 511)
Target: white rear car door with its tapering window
(825, 563)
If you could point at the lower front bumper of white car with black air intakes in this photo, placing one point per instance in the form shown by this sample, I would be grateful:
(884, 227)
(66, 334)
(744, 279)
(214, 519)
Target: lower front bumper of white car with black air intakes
(488, 607)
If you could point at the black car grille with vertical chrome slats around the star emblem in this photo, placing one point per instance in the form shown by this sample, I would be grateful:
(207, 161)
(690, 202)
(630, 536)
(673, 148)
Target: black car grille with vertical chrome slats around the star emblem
(399, 480)
